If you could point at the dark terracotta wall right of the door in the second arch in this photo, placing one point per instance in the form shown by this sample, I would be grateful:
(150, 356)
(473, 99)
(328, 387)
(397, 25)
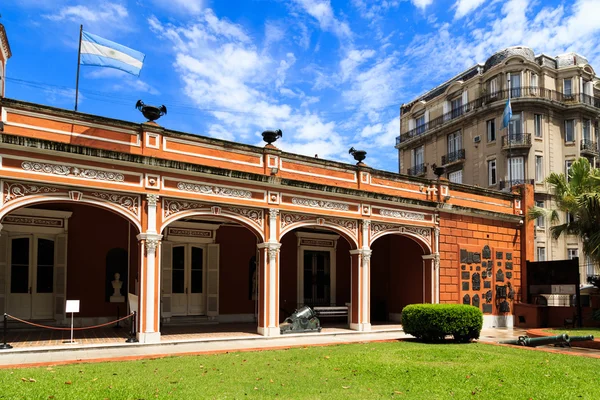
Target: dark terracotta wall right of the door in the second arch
(237, 247)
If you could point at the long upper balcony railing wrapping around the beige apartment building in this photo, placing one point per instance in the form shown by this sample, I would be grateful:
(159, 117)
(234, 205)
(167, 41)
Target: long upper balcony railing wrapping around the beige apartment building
(527, 92)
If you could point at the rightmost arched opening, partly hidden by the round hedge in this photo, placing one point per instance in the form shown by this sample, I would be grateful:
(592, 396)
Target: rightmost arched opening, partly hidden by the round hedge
(399, 276)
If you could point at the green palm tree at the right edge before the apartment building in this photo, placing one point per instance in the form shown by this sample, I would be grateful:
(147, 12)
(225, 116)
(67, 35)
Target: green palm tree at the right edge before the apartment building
(577, 195)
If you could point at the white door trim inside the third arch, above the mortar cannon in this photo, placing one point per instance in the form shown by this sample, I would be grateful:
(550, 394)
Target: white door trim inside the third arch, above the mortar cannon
(300, 263)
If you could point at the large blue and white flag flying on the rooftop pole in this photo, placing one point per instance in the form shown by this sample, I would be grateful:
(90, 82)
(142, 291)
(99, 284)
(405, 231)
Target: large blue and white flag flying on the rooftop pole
(104, 53)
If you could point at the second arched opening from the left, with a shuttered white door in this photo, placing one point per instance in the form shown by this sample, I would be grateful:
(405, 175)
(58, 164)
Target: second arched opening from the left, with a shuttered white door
(209, 274)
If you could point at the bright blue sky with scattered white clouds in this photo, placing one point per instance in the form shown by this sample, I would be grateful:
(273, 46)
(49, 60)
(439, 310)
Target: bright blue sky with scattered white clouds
(330, 73)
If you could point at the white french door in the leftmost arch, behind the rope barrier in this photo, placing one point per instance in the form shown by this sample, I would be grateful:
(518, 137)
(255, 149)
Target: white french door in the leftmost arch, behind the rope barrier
(31, 276)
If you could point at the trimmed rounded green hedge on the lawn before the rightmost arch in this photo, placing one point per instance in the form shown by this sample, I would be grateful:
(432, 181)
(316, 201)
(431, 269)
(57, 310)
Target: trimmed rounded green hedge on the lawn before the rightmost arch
(432, 322)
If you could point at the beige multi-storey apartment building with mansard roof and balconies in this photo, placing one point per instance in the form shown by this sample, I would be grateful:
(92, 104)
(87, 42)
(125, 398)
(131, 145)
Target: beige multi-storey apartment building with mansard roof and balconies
(458, 126)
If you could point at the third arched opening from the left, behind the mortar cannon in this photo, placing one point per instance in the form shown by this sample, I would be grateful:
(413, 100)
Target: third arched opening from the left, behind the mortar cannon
(315, 270)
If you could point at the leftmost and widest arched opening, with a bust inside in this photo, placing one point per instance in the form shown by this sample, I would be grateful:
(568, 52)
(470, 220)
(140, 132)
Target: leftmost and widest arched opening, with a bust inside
(51, 251)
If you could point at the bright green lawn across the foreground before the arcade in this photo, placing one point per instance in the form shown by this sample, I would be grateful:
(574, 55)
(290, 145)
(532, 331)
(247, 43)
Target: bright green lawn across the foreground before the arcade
(358, 371)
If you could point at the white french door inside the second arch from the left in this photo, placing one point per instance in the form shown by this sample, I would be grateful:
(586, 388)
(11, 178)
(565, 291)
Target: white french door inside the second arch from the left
(188, 295)
